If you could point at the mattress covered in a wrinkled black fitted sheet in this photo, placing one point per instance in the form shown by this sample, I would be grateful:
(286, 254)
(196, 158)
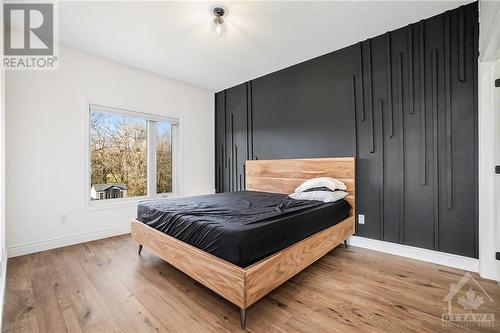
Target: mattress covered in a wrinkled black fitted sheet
(240, 227)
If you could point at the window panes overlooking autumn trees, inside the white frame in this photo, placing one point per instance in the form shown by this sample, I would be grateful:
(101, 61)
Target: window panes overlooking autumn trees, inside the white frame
(130, 154)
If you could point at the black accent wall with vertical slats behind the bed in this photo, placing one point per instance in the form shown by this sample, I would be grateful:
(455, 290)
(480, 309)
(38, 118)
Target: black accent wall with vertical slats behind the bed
(404, 103)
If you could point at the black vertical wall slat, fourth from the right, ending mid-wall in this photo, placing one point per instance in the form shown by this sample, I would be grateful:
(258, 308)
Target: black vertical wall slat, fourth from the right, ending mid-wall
(423, 121)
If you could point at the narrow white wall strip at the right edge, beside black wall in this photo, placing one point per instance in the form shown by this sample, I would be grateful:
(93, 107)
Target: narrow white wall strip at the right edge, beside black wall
(489, 139)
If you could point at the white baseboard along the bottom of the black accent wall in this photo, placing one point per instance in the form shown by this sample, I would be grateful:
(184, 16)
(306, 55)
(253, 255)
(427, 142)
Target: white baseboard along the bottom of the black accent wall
(440, 258)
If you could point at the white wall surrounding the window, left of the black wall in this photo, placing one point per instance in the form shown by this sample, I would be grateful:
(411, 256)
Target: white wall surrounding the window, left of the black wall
(45, 113)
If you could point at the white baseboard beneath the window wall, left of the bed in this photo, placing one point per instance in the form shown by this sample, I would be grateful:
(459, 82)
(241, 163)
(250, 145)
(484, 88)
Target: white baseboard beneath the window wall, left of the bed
(19, 250)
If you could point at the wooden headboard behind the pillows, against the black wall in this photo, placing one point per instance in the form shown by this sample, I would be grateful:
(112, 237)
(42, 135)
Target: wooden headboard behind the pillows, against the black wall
(283, 176)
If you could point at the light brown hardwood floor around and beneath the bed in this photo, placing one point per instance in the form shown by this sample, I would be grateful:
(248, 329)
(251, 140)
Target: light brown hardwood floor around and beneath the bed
(104, 286)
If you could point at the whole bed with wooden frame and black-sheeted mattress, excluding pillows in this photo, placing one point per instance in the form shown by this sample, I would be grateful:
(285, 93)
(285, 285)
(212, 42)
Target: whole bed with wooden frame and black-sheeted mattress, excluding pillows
(242, 245)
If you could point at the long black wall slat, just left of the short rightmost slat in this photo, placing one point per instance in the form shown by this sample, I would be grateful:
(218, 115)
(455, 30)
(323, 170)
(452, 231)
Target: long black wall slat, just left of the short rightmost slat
(447, 78)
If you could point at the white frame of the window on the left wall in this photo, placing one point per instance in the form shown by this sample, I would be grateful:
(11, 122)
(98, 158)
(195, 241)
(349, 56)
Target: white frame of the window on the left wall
(151, 155)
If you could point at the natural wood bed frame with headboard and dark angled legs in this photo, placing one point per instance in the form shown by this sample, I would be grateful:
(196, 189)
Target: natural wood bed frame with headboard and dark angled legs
(245, 286)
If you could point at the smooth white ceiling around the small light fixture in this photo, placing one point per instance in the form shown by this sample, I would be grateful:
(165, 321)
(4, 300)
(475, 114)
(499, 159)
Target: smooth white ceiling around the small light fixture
(177, 40)
